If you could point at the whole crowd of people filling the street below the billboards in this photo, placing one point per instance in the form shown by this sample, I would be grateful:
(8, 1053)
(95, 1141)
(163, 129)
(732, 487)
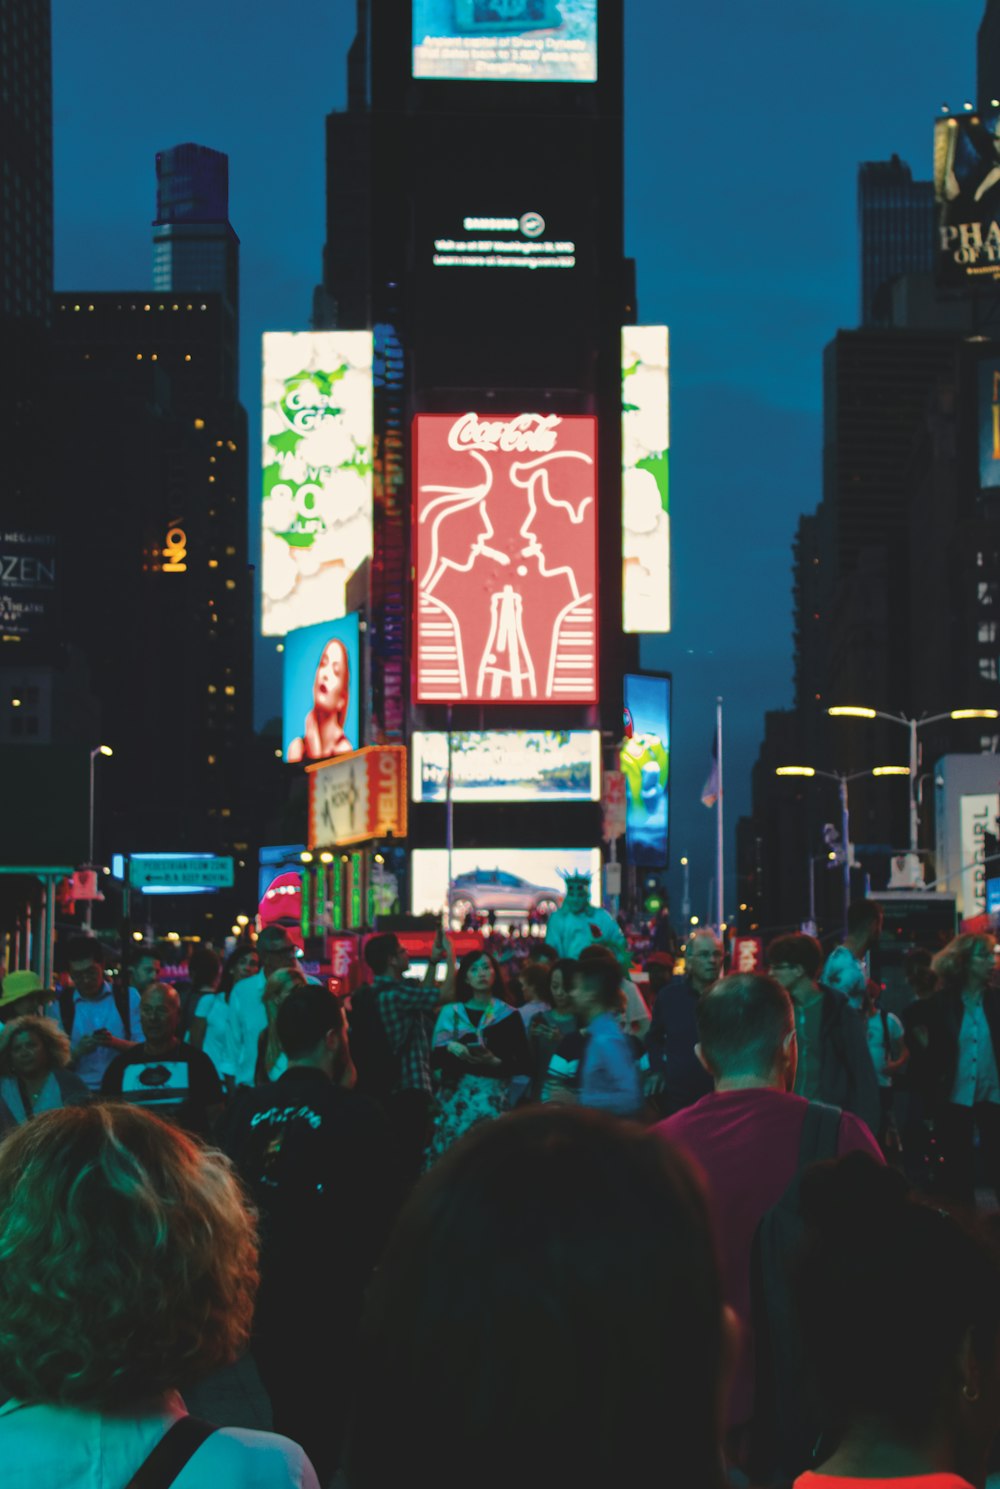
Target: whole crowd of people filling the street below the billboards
(571, 1225)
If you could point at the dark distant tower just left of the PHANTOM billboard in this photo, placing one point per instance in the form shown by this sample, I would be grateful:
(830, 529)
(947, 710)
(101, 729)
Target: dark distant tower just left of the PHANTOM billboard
(897, 224)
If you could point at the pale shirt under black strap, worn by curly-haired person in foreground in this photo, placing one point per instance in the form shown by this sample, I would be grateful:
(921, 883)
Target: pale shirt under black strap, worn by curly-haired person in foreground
(65, 1448)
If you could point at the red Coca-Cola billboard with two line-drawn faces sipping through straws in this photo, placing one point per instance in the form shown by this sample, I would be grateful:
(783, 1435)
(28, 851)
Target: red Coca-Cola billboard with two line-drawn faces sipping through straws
(505, 553)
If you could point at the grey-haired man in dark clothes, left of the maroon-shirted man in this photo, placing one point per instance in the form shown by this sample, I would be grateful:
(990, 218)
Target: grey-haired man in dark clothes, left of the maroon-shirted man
(673, 1033)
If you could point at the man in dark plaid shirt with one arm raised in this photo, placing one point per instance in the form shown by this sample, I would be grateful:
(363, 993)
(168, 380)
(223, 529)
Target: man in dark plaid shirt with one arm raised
(407, 1013)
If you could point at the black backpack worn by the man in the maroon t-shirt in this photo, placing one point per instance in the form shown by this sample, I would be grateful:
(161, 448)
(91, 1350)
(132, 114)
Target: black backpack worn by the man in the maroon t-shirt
(786, 1420)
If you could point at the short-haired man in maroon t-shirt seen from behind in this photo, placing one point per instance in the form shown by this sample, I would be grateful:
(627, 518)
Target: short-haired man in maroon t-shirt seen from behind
(746, 1134)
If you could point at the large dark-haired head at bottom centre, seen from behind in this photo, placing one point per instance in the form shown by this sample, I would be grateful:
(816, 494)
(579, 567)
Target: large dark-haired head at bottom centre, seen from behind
(556, 1235)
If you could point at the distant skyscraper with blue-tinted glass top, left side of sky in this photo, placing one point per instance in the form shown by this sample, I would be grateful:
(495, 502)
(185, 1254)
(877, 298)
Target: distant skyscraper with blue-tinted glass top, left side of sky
(196, 248)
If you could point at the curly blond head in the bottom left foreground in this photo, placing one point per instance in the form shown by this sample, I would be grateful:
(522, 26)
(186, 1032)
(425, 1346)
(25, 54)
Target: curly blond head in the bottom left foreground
(127, 1259)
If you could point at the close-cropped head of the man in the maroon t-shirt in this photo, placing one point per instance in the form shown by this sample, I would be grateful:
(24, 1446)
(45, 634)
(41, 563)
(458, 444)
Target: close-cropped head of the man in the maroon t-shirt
(746, 1031)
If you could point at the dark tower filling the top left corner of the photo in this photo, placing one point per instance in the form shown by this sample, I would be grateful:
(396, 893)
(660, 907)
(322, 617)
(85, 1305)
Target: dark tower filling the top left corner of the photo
(26, 159)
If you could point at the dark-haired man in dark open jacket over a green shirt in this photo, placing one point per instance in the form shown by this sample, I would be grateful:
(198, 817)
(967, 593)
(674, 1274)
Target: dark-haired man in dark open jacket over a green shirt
(836, 1064)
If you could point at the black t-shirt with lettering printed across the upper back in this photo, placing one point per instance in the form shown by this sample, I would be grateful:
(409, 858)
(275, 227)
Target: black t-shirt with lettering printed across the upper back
(321, 1168)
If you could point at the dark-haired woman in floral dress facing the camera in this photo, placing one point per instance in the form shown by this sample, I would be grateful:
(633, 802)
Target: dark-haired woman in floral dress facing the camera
(480, 1045)
